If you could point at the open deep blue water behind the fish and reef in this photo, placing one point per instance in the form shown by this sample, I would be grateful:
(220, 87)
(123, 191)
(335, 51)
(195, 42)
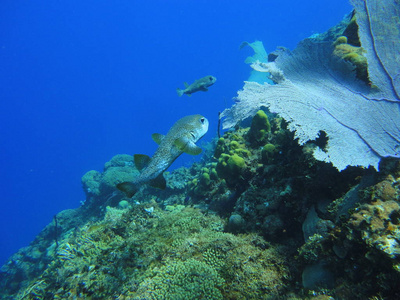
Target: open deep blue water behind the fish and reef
(82, 81)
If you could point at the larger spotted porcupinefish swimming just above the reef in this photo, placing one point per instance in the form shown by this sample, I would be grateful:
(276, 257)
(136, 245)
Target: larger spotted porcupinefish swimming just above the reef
(180, 138)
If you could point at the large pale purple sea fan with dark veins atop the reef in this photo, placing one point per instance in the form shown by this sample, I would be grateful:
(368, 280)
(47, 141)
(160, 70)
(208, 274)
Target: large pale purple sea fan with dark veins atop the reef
(316, 91)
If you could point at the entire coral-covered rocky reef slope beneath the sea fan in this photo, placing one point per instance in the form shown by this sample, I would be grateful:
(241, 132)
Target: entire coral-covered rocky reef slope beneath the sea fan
(257, 218)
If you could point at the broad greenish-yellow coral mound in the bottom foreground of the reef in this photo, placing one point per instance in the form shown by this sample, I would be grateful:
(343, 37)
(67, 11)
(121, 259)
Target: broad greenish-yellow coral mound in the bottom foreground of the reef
(179, 254)
